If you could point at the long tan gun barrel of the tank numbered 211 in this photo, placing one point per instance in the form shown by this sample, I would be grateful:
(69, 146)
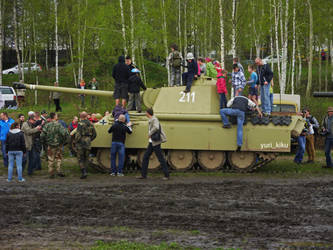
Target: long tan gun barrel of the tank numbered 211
(69, 90)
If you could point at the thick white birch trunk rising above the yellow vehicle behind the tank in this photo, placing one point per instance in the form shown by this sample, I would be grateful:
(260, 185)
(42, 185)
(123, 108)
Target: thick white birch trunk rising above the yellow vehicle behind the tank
(284, 50)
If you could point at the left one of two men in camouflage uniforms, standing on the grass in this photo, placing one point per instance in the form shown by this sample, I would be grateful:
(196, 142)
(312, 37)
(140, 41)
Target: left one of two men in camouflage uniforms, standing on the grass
(55, 136)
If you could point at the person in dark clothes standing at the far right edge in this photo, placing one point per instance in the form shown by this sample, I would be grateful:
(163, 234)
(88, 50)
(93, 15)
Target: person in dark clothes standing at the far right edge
(328, 132)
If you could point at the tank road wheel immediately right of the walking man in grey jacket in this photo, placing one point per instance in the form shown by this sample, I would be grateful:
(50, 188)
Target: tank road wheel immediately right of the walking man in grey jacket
(181, 159)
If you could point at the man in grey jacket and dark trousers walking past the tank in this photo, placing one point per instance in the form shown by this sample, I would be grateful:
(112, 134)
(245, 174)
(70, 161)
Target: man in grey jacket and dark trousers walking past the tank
(156, 137)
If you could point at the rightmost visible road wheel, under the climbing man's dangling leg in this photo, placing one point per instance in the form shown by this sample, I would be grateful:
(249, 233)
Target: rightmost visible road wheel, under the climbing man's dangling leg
(242, 161)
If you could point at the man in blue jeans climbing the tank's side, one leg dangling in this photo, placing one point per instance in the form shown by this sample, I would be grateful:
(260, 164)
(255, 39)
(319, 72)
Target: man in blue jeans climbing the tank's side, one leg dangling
(237, 107)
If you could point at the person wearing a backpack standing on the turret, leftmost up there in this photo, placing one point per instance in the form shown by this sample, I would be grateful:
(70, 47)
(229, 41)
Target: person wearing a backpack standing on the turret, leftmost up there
(175, 60)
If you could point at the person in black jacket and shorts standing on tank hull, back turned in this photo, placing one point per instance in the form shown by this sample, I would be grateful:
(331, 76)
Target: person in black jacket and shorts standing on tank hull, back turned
(121, 74)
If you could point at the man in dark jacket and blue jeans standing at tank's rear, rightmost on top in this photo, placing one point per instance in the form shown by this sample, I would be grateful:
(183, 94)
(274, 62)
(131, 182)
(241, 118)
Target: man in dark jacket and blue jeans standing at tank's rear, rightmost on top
(265, 76)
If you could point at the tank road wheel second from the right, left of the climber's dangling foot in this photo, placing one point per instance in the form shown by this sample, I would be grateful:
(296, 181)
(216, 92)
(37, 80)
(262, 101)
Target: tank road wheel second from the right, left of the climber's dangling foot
(211, 160)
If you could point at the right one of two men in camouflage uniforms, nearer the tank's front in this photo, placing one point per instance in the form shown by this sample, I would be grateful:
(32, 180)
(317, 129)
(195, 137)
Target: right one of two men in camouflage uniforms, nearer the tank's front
(85, 133)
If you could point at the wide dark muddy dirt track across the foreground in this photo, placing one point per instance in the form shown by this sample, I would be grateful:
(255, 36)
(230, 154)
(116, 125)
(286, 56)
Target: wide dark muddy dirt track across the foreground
(206, 212)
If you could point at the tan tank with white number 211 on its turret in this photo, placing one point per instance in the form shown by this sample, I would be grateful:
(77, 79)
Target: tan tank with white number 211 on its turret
(195, 137)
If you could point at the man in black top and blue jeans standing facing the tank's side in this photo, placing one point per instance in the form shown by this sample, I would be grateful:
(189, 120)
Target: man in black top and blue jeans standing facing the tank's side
(119, 130)
